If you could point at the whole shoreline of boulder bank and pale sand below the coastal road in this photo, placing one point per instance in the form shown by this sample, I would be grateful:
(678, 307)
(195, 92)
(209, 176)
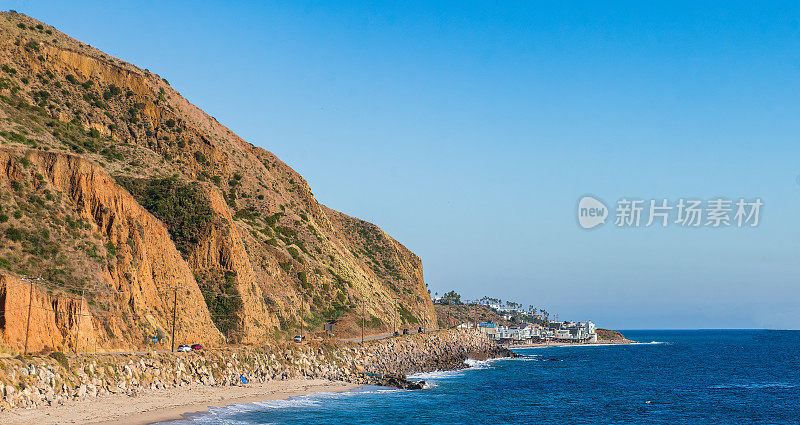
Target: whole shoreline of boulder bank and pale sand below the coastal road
(158, 387)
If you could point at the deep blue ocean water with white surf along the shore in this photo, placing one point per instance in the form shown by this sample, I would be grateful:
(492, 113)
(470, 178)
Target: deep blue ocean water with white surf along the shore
(673, 377)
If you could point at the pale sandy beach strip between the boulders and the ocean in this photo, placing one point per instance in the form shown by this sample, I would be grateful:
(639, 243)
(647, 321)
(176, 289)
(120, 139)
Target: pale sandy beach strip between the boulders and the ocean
(163, 405)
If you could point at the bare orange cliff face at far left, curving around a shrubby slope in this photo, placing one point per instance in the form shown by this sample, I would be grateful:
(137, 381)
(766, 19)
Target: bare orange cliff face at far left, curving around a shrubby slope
(138, 281)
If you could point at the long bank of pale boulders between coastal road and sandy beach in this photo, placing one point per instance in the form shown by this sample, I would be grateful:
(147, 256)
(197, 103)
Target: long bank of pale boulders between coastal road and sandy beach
(55, 379)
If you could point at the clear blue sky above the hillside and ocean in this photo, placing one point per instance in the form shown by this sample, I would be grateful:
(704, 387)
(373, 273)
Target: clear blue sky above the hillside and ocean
(469, 131)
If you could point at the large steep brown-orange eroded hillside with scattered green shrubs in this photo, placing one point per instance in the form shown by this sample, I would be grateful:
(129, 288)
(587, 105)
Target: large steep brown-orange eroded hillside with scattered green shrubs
(127, 201)
